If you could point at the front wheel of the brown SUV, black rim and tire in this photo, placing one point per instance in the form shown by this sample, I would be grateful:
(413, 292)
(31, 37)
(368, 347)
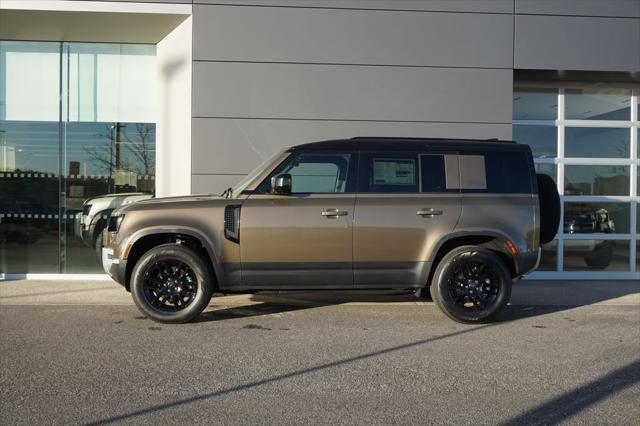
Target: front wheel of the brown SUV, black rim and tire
(171, 284)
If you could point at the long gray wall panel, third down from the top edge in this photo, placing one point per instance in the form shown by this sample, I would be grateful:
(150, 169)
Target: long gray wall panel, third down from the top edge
(351, 92)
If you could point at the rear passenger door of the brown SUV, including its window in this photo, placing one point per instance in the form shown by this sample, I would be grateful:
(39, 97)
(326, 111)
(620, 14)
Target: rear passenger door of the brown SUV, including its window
(406, 202)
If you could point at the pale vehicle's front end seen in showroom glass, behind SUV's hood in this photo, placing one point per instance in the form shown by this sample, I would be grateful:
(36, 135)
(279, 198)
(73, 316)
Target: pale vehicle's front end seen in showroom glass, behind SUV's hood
(95, 215)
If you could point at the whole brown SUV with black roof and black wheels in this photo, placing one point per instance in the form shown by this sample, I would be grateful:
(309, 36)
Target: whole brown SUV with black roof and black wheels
(459, 217)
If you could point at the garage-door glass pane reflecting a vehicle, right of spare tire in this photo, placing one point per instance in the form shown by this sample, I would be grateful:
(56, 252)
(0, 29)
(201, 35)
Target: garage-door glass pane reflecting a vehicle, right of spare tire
(586, 218)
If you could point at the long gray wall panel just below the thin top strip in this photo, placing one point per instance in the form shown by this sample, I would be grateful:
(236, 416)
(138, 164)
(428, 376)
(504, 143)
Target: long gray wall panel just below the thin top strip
(352, 36)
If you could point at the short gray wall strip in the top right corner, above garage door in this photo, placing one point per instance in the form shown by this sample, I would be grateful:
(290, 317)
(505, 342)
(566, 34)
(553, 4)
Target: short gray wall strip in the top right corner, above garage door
(622, 8)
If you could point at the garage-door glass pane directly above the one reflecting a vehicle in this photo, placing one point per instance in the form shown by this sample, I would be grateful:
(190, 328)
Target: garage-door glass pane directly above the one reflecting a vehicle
(596, 180)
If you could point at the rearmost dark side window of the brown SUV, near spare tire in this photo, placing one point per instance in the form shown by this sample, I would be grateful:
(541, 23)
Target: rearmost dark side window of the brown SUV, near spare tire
(508, 172)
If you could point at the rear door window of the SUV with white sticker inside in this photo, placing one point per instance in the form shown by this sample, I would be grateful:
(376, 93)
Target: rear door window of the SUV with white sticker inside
(388, 173)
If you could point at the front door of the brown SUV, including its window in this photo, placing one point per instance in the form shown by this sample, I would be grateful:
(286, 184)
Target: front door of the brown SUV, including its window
(305, 239)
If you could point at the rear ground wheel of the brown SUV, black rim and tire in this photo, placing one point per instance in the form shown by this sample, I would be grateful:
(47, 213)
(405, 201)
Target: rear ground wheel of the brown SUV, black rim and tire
(460, 287)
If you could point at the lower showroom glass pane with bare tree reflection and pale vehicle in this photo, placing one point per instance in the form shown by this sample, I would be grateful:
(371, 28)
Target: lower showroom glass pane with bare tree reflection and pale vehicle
(107, 165)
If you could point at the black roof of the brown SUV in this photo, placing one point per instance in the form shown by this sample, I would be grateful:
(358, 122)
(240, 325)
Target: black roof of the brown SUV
(411, 144)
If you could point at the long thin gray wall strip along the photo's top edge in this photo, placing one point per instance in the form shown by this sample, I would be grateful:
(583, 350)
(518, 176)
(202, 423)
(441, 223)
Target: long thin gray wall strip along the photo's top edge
(483, 6)
